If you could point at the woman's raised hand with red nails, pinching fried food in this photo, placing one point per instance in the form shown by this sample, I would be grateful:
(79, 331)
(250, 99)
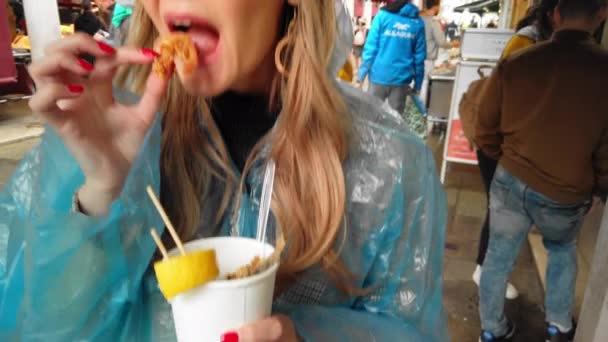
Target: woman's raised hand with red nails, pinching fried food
(77, 101)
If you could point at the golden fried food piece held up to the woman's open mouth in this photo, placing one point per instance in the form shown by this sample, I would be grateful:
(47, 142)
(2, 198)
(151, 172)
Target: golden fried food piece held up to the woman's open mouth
(180, 46)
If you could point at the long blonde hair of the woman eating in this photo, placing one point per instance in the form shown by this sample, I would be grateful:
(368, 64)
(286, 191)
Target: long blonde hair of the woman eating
(309, 144)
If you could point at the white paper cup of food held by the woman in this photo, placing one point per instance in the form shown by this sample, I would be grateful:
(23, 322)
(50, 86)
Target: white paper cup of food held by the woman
(205, 313)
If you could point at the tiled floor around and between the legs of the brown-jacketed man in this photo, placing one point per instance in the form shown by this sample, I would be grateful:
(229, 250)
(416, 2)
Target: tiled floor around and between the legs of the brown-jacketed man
(466, 200)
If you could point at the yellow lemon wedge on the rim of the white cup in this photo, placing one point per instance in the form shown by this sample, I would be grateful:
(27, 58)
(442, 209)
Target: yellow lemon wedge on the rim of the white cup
(184, 272)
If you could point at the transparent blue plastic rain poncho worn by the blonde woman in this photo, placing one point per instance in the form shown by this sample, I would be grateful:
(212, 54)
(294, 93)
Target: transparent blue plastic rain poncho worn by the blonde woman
(67, 277)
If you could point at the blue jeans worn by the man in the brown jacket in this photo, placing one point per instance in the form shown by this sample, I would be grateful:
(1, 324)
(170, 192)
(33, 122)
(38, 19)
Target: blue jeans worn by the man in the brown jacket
(514, 208)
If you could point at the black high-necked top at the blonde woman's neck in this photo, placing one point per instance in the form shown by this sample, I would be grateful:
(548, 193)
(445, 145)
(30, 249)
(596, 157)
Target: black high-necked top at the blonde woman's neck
(243, 120)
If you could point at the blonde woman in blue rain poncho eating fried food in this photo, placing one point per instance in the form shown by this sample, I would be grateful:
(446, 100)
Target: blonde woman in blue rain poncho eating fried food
(356, 194)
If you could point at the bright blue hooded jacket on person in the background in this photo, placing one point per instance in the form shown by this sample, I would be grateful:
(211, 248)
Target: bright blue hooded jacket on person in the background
(395, 49)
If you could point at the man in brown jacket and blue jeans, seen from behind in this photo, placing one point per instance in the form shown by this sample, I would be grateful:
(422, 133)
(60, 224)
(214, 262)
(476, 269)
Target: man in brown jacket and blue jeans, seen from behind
(544, 116)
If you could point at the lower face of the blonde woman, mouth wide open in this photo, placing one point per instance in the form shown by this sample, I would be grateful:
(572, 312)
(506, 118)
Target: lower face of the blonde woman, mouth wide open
(235, 41)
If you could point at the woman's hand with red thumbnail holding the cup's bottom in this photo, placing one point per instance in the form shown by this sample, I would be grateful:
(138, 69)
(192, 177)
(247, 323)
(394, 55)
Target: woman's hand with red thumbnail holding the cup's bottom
(277, 328)
